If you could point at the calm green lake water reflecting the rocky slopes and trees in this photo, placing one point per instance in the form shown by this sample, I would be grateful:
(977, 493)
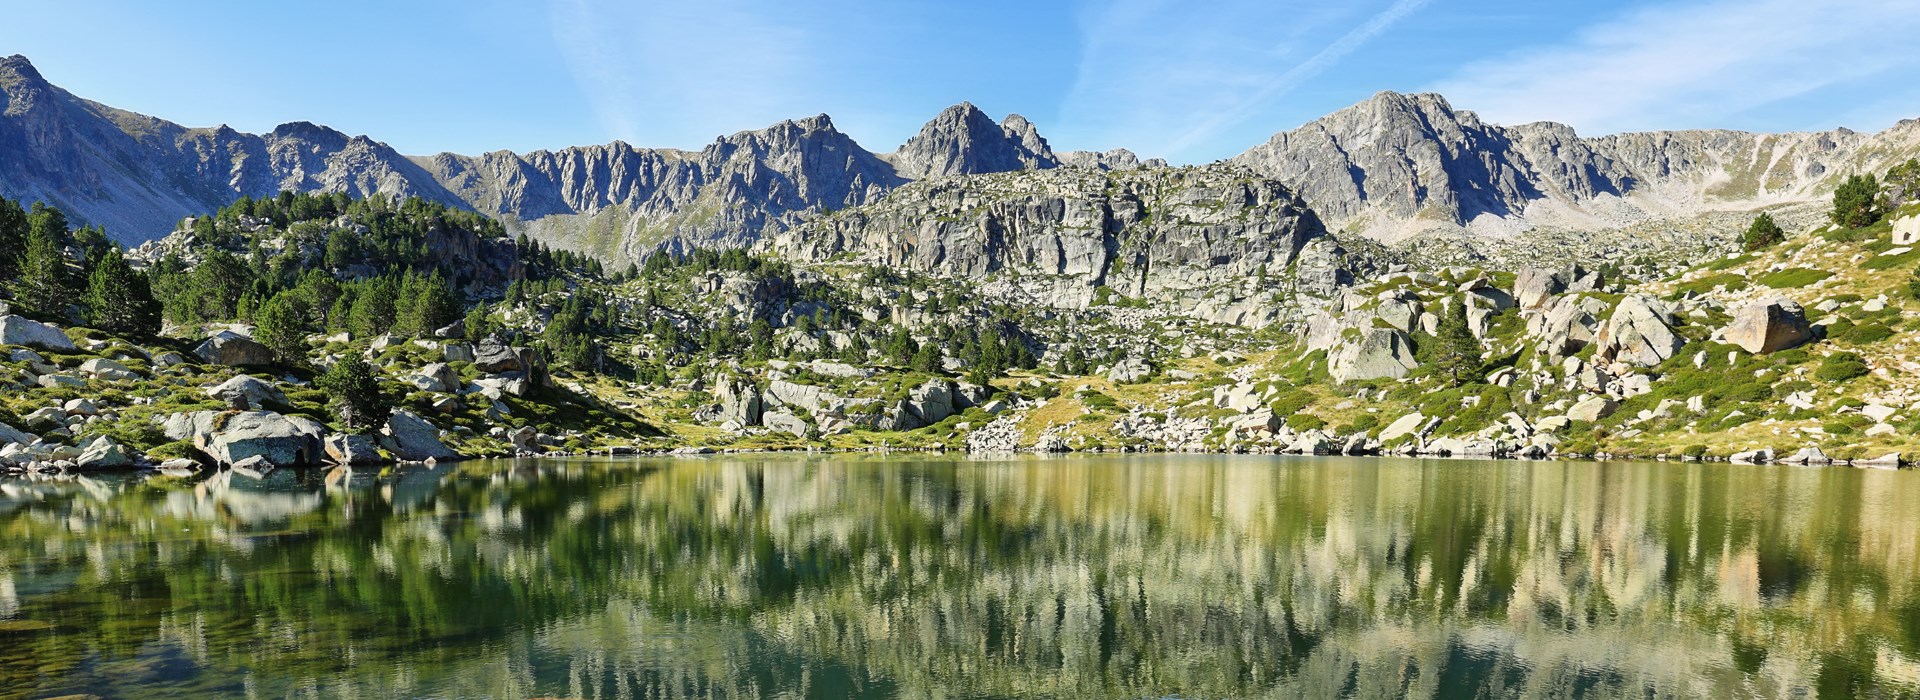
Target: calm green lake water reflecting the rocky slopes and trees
(951, 578)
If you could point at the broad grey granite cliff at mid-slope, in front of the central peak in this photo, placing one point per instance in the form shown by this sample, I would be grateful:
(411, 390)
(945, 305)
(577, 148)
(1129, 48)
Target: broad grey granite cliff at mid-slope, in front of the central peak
(1214, 243)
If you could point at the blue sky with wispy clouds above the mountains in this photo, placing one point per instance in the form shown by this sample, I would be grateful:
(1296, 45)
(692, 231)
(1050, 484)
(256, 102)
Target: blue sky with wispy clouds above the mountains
(1189, 82)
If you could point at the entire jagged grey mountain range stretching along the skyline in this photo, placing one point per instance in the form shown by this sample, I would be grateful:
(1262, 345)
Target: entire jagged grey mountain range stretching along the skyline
(1391, 168)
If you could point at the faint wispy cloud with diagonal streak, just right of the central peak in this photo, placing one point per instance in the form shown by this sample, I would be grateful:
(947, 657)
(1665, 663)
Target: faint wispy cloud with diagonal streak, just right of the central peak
(1170, 82)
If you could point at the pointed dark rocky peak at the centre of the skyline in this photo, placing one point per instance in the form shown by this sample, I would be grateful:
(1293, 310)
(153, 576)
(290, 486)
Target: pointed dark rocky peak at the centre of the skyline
(965, 141)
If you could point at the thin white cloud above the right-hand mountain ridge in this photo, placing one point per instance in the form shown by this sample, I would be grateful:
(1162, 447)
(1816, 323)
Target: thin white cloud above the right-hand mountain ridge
(1700, 64)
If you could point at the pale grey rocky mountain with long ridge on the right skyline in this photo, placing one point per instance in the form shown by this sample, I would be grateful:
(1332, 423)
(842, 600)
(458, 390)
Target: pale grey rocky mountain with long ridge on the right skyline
(1399, 166)
